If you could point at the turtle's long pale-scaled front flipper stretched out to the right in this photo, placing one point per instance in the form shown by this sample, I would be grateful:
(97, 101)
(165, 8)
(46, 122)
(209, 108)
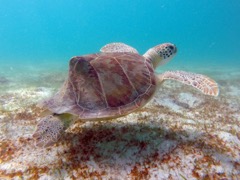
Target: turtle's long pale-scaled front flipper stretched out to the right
(203, 83)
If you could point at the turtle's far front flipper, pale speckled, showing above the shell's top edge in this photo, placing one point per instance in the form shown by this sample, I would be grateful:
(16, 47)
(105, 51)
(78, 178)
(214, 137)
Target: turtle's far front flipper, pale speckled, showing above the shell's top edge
(118, 47)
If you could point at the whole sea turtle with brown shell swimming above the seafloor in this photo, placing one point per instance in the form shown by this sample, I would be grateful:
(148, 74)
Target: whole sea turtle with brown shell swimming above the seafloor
(111, 84)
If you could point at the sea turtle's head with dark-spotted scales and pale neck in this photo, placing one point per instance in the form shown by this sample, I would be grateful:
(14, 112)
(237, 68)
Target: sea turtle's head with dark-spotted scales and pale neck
(161, 54)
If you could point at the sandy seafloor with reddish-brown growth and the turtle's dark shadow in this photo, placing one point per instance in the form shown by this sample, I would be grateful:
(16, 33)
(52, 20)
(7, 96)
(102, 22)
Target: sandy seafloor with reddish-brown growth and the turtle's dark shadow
(180, 134)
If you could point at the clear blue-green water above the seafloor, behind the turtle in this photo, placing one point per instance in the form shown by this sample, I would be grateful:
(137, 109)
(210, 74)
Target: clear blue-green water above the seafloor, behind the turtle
(43, 31)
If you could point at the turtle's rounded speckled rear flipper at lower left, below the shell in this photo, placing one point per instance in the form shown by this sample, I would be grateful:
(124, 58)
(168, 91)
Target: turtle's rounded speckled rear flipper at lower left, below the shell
(48, 131)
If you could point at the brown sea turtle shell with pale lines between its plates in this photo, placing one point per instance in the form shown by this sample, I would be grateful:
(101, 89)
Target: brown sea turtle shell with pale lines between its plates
(105, 85)
